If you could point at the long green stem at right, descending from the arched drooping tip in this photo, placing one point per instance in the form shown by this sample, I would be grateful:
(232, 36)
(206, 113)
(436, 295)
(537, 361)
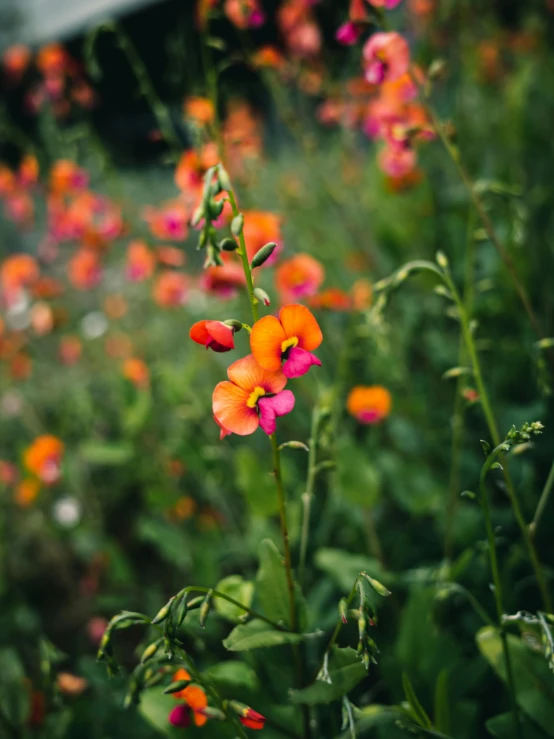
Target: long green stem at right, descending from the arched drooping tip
(495, 436)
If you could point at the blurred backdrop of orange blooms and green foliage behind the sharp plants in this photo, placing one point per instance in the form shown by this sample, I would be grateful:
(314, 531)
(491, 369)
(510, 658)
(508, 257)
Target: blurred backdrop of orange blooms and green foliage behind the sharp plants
(110, 114)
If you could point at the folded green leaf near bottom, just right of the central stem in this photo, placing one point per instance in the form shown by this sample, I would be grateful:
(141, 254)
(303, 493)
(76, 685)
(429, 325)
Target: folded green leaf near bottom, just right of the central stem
(345, 670)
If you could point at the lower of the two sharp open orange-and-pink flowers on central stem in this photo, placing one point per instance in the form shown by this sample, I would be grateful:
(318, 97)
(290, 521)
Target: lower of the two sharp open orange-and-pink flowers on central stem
(253, 397)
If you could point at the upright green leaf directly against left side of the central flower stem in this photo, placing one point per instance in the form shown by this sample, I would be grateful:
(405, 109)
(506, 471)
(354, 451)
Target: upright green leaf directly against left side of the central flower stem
(271, 584)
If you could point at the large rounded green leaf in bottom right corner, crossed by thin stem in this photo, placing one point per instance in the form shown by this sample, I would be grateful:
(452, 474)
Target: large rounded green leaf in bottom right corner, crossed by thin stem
(534, 682)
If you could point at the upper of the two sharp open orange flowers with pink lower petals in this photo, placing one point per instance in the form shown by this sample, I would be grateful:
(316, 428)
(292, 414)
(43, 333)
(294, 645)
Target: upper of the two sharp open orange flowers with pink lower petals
(289, 339)
